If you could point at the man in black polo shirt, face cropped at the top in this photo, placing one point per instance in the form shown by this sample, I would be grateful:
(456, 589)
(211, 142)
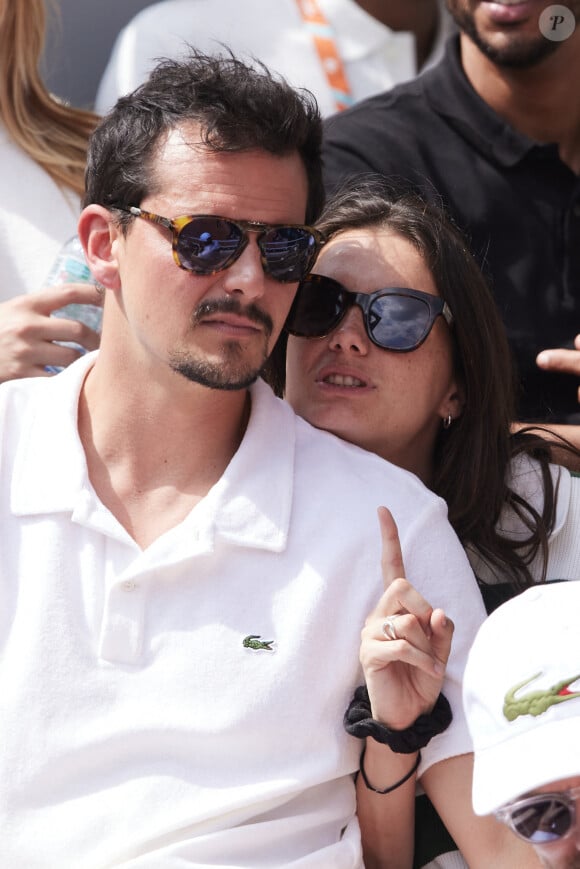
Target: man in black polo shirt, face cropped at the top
(493, 134)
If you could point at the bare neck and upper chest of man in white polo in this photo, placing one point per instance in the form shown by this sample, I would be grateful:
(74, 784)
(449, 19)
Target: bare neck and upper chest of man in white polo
(153, 452)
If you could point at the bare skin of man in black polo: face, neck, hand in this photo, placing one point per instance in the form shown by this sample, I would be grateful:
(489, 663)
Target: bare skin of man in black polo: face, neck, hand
(525, 78)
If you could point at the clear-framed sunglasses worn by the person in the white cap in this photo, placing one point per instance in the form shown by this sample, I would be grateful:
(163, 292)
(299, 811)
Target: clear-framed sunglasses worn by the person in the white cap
(543, 818)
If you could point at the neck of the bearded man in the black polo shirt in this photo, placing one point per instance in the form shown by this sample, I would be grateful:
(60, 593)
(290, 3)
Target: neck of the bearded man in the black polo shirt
(540, 101)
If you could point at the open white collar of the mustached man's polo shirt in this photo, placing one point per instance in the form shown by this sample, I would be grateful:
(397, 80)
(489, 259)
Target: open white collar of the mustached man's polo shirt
(250, 505)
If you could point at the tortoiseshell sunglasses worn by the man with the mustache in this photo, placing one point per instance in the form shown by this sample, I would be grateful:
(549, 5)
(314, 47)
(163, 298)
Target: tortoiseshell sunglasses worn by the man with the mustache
(205, 244)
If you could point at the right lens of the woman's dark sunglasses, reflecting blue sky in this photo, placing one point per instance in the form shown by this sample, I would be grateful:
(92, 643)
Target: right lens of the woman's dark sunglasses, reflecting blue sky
(398, 322)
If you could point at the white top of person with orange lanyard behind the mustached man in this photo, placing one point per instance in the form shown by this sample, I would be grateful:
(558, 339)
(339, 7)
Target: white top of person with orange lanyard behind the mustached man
(375, 58)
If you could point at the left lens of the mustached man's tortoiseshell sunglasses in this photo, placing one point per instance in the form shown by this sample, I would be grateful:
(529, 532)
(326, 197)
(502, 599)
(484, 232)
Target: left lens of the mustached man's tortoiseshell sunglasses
(206, 244)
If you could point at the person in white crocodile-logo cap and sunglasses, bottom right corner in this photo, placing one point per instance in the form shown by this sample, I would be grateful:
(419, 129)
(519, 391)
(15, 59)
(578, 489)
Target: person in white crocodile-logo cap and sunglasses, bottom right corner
(522, 701)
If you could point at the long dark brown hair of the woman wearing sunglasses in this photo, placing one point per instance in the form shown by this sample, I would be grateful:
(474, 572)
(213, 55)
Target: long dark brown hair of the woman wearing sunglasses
(471, 458)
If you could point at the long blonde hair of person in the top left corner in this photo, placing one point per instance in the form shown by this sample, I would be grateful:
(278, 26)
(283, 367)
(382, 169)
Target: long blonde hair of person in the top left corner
(52, 133)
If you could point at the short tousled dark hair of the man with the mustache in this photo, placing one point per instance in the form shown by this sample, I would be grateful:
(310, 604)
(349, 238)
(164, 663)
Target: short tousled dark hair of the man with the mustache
(239, 107)
